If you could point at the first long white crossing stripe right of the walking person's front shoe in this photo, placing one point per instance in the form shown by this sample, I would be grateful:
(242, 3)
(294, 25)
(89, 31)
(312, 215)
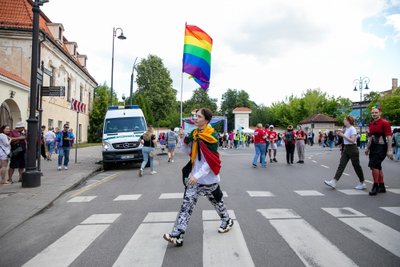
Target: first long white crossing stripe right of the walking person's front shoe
(310, 246)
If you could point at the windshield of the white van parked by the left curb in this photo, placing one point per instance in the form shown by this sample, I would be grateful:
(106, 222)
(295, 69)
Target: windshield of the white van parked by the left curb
(126, 124)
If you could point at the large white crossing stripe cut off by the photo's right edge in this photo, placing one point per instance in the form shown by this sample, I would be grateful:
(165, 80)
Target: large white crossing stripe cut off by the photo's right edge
(377, 232)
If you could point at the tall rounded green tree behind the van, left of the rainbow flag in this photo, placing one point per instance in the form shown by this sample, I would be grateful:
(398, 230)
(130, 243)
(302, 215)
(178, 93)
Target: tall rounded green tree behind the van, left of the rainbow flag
(155, 85)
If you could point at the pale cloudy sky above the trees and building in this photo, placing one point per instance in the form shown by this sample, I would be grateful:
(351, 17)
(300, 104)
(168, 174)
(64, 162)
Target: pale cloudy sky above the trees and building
(271, 48)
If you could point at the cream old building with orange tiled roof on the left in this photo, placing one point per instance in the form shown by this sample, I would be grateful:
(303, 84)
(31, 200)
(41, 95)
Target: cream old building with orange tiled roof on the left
(59, 57)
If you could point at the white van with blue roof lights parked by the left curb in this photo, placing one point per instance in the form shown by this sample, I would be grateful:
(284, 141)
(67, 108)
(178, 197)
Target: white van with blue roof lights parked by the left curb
(122, 129)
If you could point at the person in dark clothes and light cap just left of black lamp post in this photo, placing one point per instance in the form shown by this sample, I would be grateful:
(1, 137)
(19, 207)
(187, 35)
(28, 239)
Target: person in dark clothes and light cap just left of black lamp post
(18, 143)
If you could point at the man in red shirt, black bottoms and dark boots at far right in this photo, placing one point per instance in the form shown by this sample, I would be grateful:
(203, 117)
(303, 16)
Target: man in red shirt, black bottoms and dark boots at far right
(379, 146)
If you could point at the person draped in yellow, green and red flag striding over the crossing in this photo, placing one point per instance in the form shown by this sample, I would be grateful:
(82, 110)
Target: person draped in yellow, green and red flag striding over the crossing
(202, 146)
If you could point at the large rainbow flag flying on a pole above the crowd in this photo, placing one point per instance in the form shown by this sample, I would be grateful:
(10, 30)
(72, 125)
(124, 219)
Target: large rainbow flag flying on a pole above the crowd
(197, 55)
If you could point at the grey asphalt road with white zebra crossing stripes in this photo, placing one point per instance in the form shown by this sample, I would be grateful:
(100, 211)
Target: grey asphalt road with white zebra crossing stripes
(285, 216)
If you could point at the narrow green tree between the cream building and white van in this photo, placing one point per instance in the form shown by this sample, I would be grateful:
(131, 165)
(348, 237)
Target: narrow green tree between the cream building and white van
(101, 102)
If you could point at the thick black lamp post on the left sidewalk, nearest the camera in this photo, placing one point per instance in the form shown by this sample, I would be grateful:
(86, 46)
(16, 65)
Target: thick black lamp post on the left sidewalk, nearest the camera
(31, 177)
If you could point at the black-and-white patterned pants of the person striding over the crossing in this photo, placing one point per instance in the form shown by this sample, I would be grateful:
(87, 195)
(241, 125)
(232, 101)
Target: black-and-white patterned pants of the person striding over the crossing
(214, 195)
